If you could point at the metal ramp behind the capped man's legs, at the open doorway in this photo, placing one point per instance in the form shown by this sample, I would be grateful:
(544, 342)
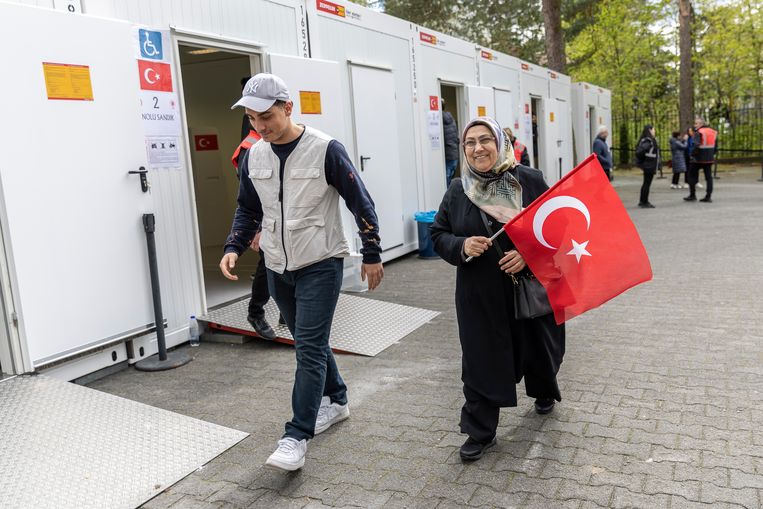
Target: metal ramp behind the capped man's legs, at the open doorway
(362, 326)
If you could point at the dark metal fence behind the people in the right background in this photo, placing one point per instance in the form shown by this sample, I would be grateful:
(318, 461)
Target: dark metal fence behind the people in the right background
(740, 133)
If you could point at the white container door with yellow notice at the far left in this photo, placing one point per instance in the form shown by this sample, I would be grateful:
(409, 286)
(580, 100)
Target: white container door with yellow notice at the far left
(71, 130)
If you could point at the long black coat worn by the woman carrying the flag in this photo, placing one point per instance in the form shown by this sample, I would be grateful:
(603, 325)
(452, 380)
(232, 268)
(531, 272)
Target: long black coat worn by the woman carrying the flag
(498, 350)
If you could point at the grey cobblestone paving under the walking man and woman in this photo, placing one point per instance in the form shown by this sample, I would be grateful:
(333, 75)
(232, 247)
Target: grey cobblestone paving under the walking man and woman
(662, 388)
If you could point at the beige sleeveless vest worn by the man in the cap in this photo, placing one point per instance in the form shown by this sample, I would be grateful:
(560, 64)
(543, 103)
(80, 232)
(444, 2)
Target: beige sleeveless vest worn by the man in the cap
(307, 227)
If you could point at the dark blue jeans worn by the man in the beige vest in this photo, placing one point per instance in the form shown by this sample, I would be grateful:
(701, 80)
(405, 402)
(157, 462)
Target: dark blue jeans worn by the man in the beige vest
(307, 298)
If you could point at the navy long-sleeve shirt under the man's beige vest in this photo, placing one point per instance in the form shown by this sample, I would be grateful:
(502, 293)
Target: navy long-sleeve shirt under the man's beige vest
(340, 173)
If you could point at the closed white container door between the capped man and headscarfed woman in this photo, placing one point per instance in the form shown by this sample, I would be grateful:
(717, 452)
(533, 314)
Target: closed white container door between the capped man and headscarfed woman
(378, 157)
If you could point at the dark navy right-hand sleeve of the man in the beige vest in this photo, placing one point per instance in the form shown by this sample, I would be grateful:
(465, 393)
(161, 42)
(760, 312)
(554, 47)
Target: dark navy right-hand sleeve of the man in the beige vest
(341, 174)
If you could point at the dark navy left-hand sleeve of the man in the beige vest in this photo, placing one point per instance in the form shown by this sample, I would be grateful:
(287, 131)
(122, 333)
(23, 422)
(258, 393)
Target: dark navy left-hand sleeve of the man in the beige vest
(248, 217)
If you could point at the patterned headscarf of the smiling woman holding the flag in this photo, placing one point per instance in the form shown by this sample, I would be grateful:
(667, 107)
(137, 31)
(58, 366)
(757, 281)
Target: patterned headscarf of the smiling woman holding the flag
(497, 192)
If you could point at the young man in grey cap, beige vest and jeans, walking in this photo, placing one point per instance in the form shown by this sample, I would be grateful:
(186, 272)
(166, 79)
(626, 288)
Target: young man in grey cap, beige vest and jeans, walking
(290, 184)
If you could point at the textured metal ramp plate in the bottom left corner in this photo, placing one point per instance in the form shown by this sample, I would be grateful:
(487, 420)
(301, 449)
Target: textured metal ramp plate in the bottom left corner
(67, 446)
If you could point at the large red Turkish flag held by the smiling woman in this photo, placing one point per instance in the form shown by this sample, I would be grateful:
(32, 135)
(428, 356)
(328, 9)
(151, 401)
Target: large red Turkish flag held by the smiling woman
(579, 241)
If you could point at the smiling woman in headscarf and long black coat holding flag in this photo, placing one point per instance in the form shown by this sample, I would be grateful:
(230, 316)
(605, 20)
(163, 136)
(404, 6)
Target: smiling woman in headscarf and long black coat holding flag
(497, 348)
